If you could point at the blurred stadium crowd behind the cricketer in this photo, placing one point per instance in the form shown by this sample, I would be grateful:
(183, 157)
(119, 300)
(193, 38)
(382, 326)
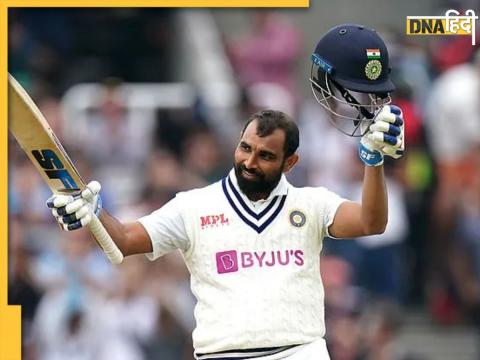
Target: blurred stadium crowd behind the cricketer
(150, 102)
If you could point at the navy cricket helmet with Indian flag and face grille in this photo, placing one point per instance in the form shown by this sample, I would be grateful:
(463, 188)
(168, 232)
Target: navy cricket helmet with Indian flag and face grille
(350, 76)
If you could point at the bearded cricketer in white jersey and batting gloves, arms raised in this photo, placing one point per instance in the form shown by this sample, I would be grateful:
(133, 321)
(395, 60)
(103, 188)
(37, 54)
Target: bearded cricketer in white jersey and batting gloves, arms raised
(252, 241)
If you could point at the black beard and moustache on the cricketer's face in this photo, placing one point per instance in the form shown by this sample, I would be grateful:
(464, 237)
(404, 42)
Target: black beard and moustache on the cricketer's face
(261, 186)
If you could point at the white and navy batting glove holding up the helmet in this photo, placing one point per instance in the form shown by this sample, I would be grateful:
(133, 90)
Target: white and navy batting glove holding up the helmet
(385, 137)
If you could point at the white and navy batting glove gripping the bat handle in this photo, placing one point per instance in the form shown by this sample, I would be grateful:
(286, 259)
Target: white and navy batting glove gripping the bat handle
(76, 211)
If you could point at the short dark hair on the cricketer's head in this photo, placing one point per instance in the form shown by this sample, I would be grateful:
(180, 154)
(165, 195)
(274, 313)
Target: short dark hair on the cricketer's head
(270, 120)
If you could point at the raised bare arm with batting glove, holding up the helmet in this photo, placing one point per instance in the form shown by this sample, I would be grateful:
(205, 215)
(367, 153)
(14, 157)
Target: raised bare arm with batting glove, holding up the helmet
(385, 138)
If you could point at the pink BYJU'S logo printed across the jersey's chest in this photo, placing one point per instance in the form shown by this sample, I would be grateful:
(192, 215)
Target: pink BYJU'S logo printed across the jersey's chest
(231, 261)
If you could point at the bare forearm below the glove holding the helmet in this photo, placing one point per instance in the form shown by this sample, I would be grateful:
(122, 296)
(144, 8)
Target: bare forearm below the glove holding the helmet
(374, 212)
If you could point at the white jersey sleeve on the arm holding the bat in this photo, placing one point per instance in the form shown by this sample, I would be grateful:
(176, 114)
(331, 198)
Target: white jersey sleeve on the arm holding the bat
(166, 229)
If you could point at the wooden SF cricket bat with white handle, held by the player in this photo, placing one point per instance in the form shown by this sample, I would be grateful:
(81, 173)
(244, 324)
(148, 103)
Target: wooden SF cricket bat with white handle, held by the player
(36, 138)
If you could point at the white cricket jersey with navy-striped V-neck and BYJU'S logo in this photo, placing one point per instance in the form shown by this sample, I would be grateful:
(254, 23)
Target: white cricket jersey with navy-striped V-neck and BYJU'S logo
(255, 266)
